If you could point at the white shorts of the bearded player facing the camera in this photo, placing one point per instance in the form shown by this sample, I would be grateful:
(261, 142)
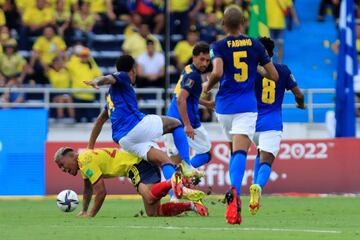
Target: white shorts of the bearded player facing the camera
(200, 144)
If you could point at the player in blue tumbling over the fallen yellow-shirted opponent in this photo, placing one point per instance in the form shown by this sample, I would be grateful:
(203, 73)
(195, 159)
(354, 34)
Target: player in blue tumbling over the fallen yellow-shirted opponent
(132, 129)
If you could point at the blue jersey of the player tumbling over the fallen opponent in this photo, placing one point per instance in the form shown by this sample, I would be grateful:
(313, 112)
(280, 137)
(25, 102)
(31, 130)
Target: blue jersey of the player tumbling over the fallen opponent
(121, 105)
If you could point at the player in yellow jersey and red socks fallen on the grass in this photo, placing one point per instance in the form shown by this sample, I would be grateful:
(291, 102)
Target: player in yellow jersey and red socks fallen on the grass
(97, 164)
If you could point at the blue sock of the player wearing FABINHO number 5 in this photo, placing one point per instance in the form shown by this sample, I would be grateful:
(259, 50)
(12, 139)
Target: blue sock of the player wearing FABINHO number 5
(237, 169)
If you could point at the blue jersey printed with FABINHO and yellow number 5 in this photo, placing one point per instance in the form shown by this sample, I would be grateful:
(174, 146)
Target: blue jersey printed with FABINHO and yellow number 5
(241, 55)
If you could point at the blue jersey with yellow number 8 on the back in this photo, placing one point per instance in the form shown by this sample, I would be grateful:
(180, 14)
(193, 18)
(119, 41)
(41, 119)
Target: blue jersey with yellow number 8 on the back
(270, 96)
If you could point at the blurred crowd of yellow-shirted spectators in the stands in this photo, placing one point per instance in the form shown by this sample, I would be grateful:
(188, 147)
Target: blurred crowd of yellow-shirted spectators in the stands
(50, 42)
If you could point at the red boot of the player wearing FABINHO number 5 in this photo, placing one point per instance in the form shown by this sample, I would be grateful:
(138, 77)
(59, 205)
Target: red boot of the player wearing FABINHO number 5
(233, 211)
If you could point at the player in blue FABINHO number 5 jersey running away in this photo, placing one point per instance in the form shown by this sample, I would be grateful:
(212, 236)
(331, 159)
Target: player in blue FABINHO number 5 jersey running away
(236, 60)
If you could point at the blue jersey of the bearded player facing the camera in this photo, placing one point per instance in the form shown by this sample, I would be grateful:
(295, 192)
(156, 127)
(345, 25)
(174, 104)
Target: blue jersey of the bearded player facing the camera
(190, 80)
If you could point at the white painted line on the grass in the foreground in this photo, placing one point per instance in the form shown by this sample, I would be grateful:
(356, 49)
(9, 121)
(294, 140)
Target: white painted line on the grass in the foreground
(237, 229)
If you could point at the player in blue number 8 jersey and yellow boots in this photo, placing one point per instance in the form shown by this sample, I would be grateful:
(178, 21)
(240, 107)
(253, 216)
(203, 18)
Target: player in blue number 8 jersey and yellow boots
(269, 126)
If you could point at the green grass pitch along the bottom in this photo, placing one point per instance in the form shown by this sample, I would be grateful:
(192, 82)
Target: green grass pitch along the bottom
(279, 218)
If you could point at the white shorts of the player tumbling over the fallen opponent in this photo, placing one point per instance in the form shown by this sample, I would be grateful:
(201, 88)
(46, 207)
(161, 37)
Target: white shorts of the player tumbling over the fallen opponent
(142, 137)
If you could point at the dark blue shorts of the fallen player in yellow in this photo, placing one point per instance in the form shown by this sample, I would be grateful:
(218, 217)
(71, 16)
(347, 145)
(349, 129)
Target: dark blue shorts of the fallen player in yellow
(144, 172)
